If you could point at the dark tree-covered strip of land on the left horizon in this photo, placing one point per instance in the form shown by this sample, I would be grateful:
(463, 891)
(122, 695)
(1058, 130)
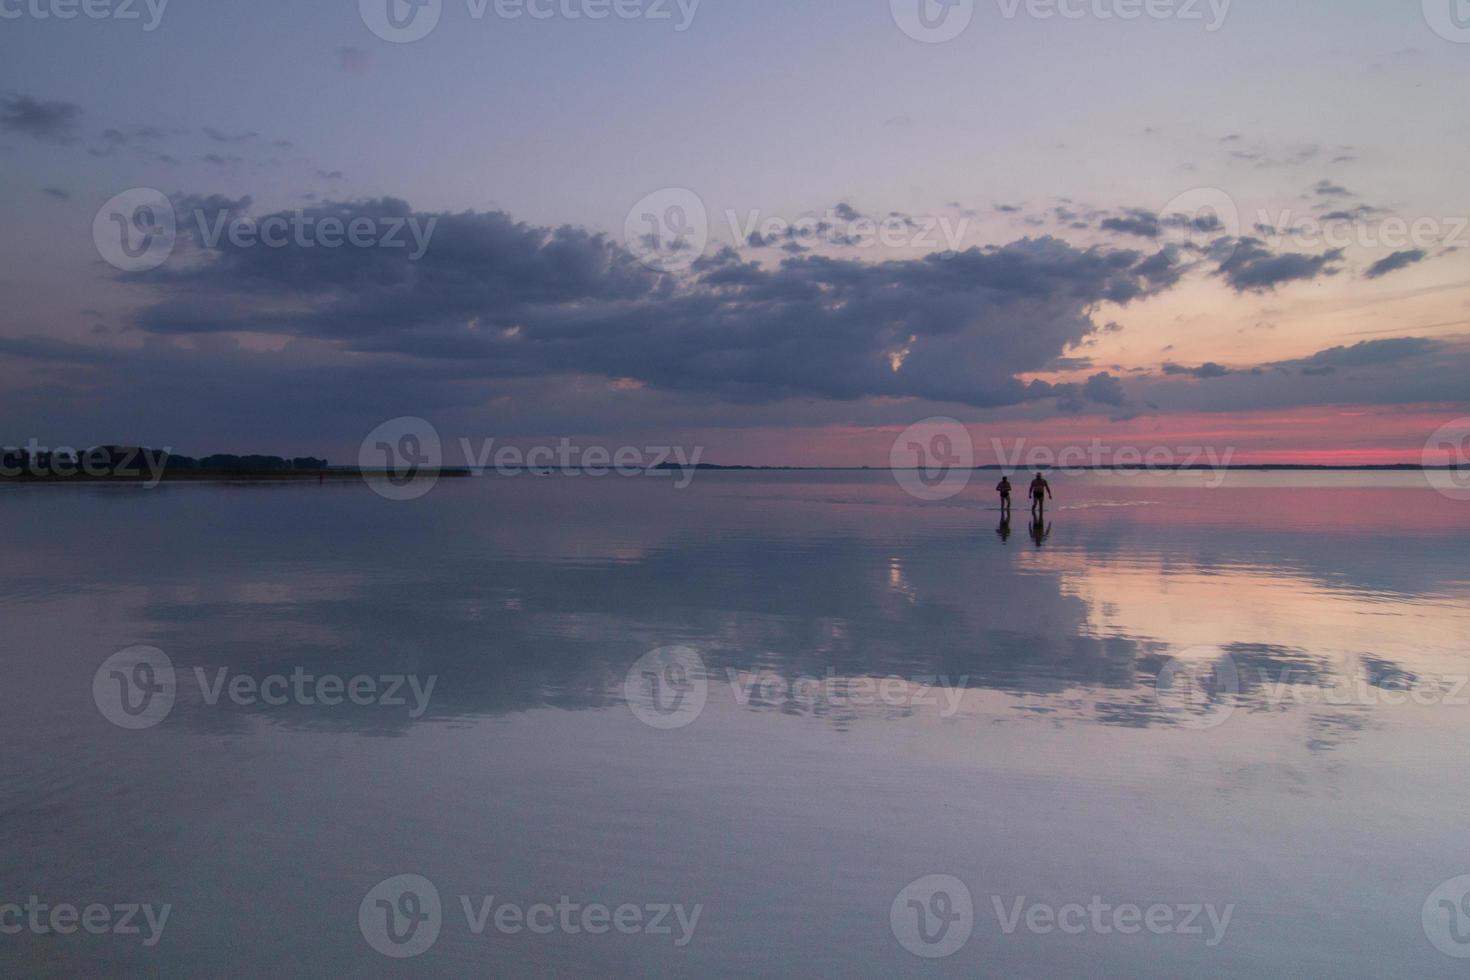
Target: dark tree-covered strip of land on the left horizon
(132, 464)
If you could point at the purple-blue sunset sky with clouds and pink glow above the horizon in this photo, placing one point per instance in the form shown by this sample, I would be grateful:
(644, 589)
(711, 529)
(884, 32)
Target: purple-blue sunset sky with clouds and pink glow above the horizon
(783, 233)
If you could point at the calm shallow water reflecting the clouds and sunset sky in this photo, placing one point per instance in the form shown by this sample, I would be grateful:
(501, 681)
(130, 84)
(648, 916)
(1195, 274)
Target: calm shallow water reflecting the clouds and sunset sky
(1302, 768)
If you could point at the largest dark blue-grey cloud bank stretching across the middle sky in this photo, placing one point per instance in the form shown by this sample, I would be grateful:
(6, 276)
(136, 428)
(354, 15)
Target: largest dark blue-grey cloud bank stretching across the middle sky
(501, 299)
